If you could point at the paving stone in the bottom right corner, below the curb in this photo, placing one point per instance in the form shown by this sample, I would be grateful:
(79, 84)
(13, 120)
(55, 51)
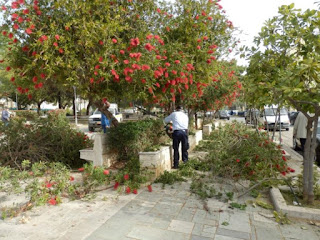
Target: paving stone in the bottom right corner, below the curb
(294, 231)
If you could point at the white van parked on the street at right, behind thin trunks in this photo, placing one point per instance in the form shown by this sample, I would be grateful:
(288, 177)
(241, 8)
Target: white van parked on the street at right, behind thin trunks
(268, 118)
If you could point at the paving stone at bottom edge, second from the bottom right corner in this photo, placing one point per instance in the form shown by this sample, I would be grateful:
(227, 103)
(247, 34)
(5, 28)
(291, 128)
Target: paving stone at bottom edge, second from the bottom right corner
(267, 231)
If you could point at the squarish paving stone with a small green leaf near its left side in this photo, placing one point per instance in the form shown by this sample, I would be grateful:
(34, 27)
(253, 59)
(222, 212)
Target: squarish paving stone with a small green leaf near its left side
(237, 221)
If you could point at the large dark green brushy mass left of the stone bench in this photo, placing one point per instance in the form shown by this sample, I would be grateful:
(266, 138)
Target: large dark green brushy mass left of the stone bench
(48, 139)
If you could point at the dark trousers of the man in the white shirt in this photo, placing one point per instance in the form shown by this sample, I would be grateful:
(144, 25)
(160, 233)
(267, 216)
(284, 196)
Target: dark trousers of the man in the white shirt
(180, 136)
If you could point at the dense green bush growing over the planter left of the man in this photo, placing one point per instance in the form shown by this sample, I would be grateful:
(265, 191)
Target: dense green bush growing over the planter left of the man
(130, 138)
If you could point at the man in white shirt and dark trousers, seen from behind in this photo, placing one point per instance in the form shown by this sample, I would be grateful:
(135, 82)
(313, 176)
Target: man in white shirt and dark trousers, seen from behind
(180, 123)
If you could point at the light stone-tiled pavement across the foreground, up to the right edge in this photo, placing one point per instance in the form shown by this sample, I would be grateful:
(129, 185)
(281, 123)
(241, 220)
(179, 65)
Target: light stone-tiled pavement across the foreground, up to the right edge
(172, 213)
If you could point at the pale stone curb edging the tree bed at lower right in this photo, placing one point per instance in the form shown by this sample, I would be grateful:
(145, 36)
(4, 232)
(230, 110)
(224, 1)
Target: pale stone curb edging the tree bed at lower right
(292, 211)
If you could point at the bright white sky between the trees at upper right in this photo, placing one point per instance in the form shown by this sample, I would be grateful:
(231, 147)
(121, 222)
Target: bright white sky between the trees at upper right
(250, 15)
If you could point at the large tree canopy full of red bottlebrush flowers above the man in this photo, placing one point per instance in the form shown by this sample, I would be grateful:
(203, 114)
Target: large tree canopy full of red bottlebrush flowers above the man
(134, 49)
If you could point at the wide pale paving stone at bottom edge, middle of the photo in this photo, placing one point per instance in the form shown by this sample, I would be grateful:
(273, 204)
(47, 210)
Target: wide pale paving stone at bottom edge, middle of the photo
(149, 233)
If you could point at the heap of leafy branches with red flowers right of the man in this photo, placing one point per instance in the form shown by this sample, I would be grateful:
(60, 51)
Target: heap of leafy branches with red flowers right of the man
(239, 152)
